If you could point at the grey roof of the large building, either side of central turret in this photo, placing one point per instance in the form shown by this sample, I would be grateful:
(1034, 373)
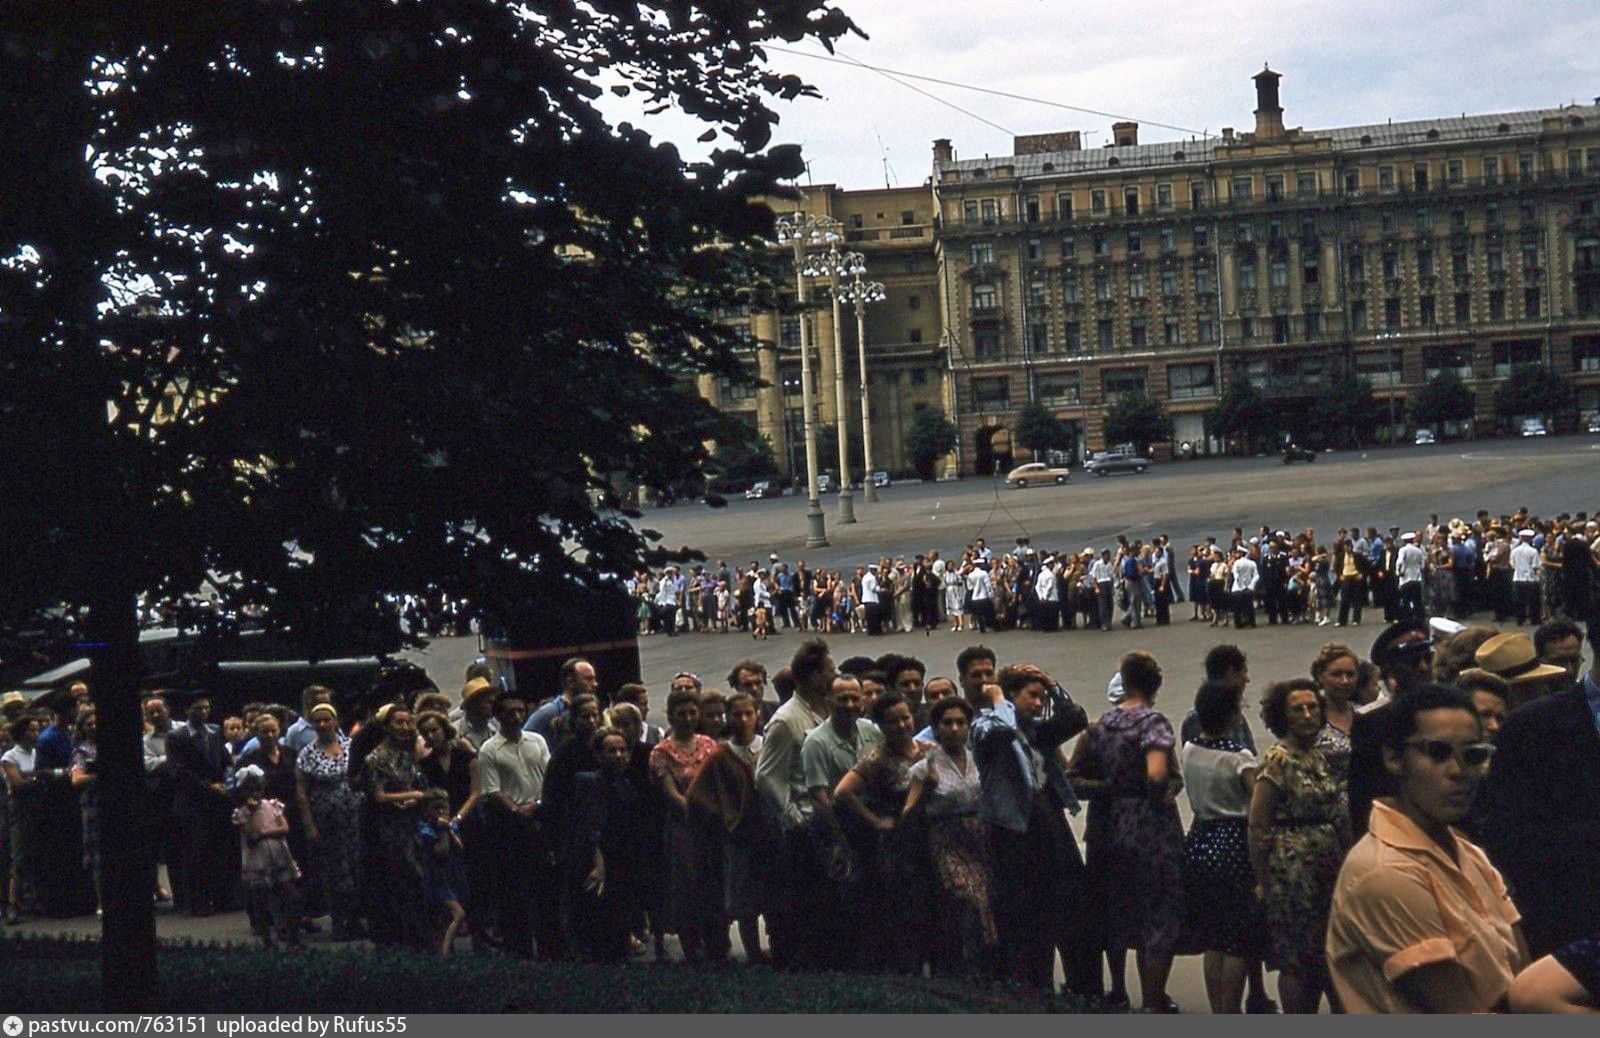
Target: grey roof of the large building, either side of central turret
(1345, 140)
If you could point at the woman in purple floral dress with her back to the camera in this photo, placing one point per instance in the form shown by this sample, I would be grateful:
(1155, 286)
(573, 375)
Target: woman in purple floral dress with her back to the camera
(1126, 761)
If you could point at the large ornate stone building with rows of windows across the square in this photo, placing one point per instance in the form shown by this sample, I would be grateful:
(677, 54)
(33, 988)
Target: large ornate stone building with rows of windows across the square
(1066, 276)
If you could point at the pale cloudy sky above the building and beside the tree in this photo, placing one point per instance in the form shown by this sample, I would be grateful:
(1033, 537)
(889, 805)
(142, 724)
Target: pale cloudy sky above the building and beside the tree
(1186, 65)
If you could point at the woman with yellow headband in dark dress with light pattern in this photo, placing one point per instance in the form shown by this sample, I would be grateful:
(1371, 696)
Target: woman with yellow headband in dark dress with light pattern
(332, 813)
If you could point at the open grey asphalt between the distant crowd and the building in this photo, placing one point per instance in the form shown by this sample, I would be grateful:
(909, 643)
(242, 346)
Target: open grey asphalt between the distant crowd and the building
(1183, 500)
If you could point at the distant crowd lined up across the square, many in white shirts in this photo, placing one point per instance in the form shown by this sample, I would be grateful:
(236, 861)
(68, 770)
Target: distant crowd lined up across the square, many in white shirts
(1519, 567)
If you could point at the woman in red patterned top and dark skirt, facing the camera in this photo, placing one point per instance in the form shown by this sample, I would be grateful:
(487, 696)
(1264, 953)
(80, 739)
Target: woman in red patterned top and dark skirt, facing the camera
(694, 904)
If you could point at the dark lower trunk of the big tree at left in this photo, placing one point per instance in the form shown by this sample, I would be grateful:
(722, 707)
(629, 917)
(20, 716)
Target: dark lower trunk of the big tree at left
(129, 980)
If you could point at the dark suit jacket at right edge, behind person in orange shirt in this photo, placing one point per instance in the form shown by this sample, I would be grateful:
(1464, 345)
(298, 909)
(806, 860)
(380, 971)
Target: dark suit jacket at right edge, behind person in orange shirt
(1545, 818)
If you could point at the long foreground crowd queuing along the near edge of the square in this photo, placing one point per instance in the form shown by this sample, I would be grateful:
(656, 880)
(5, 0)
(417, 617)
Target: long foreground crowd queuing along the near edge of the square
(1420, 837)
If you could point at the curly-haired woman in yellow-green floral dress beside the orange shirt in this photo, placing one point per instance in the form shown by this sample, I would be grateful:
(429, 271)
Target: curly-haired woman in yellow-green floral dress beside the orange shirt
(1300, 829)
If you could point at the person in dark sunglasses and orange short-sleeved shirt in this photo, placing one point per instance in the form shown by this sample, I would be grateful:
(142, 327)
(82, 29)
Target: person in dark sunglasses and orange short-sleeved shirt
(1422, 920)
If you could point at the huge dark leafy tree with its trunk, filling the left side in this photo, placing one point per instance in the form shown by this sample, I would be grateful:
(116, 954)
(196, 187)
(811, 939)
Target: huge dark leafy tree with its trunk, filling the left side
(287, 289)
